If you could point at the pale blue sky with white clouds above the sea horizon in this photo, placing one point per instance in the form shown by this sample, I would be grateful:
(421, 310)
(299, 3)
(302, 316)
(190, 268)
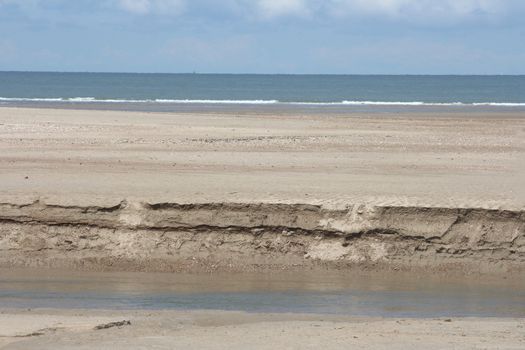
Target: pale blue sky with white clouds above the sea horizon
(264, 36)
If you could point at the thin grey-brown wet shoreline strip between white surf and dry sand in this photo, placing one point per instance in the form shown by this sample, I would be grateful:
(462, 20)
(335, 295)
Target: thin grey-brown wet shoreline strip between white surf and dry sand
(269, 109)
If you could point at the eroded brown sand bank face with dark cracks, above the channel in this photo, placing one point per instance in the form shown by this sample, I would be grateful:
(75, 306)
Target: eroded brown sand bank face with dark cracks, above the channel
(171, 237)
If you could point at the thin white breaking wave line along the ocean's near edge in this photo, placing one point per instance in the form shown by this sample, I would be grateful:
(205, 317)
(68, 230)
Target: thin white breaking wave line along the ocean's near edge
(259, 102)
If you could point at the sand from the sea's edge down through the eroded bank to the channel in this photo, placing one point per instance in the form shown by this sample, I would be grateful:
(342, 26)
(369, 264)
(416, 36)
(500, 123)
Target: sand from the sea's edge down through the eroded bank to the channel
(168, 191)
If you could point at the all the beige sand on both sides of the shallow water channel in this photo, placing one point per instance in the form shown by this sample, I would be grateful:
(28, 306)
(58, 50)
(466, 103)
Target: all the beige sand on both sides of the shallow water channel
(132, 191)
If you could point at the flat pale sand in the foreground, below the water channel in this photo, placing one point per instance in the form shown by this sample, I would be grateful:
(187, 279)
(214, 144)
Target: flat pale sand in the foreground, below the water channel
(41, 329)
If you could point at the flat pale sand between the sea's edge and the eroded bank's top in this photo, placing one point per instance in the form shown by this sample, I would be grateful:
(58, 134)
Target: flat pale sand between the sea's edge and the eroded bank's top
(448, 160)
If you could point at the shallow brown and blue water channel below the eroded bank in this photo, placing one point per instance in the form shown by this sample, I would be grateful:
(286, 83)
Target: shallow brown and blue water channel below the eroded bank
(343, 293)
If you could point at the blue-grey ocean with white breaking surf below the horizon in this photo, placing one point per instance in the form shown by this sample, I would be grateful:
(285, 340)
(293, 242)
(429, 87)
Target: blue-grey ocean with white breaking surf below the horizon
(345, 92)
